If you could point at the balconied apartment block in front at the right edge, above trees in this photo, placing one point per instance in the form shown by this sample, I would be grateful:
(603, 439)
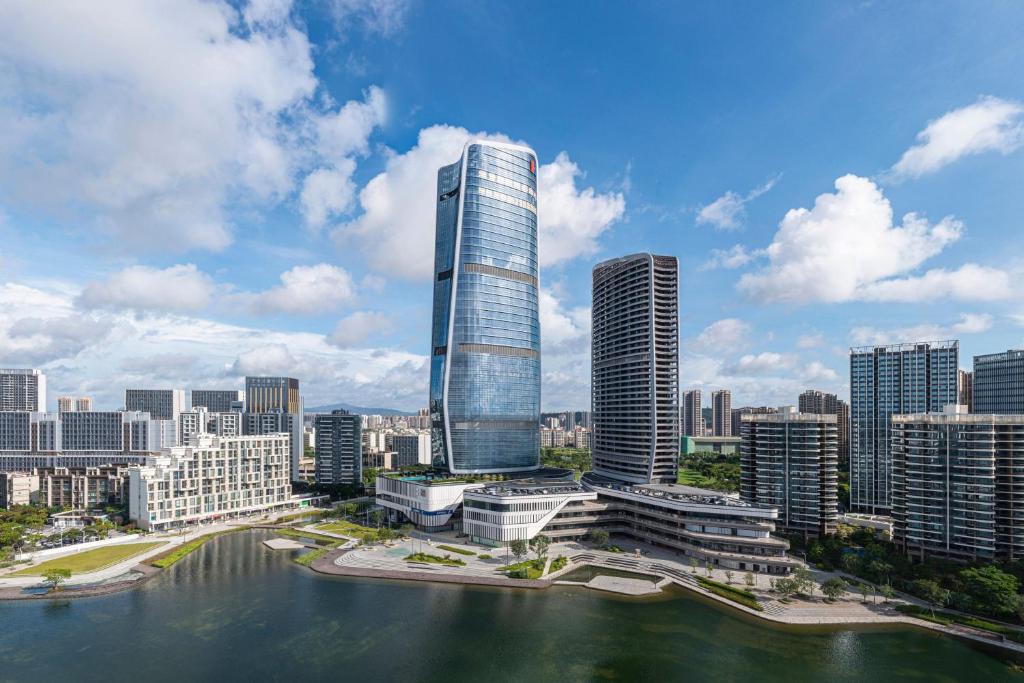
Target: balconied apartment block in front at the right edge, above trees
(957, 486)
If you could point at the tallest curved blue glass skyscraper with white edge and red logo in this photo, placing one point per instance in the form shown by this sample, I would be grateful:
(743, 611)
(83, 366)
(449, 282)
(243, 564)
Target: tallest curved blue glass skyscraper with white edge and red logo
(486, 356)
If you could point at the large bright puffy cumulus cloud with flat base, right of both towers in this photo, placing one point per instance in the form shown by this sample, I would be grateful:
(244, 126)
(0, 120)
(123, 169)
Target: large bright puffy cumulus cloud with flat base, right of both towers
(847, 248)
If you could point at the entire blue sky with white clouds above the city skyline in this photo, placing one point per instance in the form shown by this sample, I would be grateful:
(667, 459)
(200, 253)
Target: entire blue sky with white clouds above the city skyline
(191, 192)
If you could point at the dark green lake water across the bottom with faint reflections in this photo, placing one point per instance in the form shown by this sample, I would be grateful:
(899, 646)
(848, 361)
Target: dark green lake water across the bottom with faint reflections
(237, 612)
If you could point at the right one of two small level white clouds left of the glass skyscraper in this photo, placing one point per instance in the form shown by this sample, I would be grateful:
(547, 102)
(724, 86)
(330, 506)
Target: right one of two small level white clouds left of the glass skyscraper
(306, 289)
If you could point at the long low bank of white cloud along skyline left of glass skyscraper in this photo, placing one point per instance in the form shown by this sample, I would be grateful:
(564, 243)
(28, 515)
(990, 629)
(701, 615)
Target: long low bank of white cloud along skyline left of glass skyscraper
(100, 353)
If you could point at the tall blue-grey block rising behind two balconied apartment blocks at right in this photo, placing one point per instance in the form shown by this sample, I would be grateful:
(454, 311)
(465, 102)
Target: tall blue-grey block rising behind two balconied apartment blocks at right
(919, 377)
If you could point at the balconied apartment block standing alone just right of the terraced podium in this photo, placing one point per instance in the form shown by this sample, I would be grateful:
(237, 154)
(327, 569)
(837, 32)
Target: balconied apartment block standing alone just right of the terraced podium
(789, 461)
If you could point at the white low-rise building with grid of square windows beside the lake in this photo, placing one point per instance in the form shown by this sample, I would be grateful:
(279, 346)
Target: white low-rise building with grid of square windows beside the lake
(215, 478)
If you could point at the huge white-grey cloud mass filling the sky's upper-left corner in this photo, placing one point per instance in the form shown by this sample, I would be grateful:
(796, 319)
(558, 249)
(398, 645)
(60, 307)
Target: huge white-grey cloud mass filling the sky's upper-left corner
(153, 124)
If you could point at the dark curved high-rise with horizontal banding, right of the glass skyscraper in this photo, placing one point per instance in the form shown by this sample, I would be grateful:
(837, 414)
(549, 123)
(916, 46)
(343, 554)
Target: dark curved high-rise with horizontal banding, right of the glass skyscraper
(635, 369)
